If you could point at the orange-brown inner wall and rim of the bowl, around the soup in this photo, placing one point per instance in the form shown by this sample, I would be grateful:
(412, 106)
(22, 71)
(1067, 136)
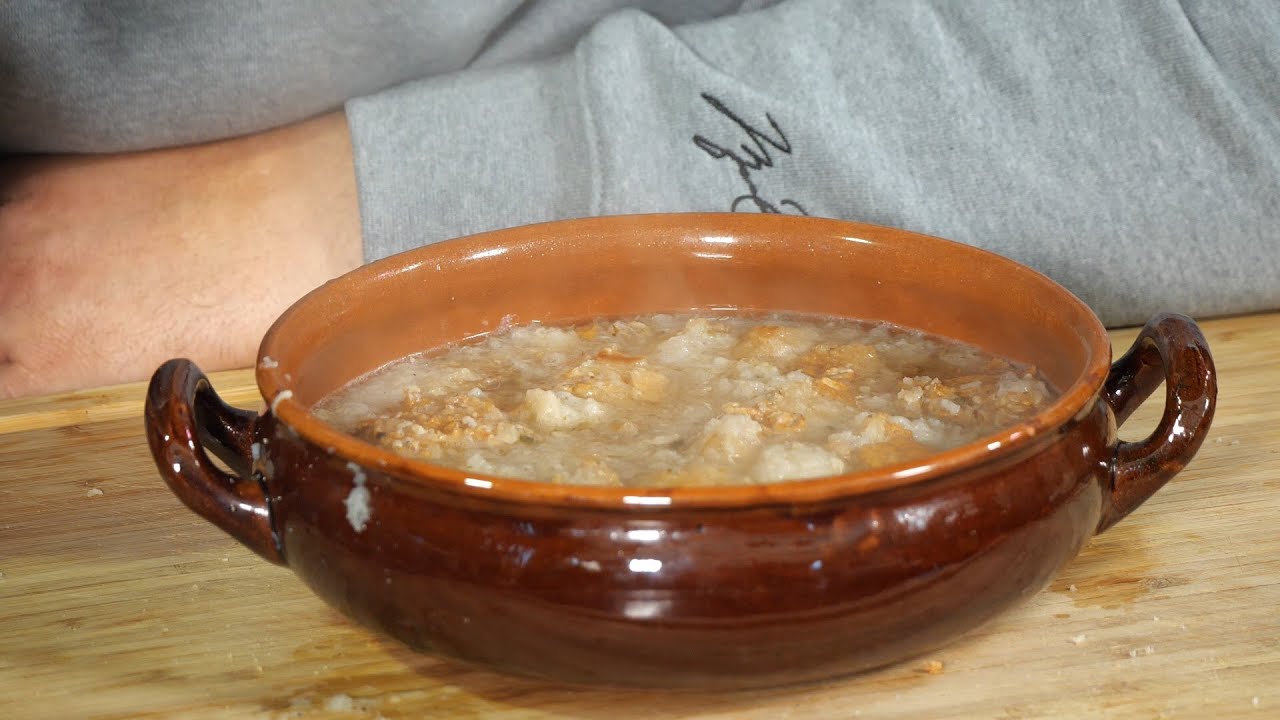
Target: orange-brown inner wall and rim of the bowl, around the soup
(629, 266)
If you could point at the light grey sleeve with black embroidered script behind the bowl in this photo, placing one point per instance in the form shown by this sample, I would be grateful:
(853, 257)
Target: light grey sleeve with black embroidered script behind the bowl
(1131, 152)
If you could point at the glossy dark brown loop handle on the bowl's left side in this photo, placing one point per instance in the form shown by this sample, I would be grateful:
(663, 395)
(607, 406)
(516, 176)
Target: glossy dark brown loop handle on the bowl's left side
(185, 417)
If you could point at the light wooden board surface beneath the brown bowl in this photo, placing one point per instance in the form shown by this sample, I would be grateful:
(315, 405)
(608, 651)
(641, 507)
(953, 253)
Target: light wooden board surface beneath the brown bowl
(124, 604)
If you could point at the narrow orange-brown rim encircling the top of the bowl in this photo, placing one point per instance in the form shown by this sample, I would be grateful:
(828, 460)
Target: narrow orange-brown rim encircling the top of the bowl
(1008, 444)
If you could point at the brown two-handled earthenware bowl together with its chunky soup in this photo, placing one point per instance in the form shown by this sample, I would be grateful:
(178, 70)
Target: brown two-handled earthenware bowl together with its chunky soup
(788, 509)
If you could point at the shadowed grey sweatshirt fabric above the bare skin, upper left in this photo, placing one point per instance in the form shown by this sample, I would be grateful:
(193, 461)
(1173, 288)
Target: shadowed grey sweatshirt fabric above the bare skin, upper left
(83, 76)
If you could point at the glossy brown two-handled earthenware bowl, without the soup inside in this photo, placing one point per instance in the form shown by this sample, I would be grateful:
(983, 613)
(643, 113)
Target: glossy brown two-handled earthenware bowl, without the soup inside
(739, 586)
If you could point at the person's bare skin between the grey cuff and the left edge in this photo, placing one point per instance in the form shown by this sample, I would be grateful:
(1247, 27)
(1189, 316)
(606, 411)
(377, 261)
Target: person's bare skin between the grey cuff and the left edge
(112, 265)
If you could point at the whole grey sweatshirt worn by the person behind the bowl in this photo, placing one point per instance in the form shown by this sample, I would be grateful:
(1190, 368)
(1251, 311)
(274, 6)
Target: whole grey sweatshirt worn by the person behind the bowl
(1130, 149)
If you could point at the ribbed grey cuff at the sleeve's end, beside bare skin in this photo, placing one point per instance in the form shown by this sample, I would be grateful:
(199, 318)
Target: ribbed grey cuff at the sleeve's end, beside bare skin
(442, 158)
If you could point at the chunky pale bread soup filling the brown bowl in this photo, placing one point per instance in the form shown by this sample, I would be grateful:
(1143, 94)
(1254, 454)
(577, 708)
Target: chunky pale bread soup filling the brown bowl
(688, 400)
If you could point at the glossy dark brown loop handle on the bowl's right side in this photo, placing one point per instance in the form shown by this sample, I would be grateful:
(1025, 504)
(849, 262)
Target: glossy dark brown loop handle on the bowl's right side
(1171, 349)
